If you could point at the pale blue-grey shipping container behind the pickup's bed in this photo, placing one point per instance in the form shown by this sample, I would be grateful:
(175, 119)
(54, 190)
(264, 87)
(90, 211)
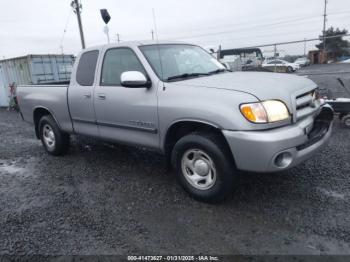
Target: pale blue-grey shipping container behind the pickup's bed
(33, 69)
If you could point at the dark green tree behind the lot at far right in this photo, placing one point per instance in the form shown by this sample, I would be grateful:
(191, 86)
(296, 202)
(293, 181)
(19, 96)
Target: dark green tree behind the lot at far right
(336, 45)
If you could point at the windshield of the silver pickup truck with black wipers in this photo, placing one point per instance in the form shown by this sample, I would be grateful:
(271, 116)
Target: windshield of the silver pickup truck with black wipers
(180, 61)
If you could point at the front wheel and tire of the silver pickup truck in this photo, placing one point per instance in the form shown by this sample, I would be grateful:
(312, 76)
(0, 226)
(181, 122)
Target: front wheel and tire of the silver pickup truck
(204, 157)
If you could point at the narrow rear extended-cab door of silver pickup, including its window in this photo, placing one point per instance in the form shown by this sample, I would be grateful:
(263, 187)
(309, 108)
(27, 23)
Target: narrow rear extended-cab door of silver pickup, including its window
(81, 91)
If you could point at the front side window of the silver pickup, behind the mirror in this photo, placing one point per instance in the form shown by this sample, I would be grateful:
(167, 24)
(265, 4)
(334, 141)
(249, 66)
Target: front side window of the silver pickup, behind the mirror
(116, 62)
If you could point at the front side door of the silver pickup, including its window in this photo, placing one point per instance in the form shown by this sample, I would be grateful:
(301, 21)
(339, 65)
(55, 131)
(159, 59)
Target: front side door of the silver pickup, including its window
(125, 115)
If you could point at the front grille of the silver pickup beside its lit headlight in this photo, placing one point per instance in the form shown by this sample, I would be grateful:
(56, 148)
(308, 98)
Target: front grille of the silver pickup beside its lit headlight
(306, 104)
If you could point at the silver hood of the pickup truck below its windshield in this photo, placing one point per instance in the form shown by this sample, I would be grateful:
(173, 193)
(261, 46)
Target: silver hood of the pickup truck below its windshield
(262, 85)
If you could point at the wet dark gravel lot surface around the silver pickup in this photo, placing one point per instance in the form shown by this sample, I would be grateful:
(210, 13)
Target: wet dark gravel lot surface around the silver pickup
(109, 199)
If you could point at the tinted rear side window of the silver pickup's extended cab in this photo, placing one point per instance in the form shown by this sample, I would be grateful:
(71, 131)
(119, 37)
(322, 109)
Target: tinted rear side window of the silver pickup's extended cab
(86, 68)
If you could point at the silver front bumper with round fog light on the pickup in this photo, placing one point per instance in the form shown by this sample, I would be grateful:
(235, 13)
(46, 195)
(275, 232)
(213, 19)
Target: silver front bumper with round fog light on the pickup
(280, 148)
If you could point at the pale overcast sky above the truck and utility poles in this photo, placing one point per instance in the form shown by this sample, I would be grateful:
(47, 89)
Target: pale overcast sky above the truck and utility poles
(37, 26)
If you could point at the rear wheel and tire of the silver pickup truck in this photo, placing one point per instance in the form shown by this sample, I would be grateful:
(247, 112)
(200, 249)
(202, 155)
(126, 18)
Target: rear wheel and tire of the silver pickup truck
(55, 142)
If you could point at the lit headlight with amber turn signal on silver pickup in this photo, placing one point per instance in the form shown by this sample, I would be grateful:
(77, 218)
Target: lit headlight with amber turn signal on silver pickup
(265, 112)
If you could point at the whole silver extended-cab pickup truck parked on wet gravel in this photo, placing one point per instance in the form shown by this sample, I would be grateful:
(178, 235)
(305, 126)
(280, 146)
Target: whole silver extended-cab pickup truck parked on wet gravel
(177, 99)
